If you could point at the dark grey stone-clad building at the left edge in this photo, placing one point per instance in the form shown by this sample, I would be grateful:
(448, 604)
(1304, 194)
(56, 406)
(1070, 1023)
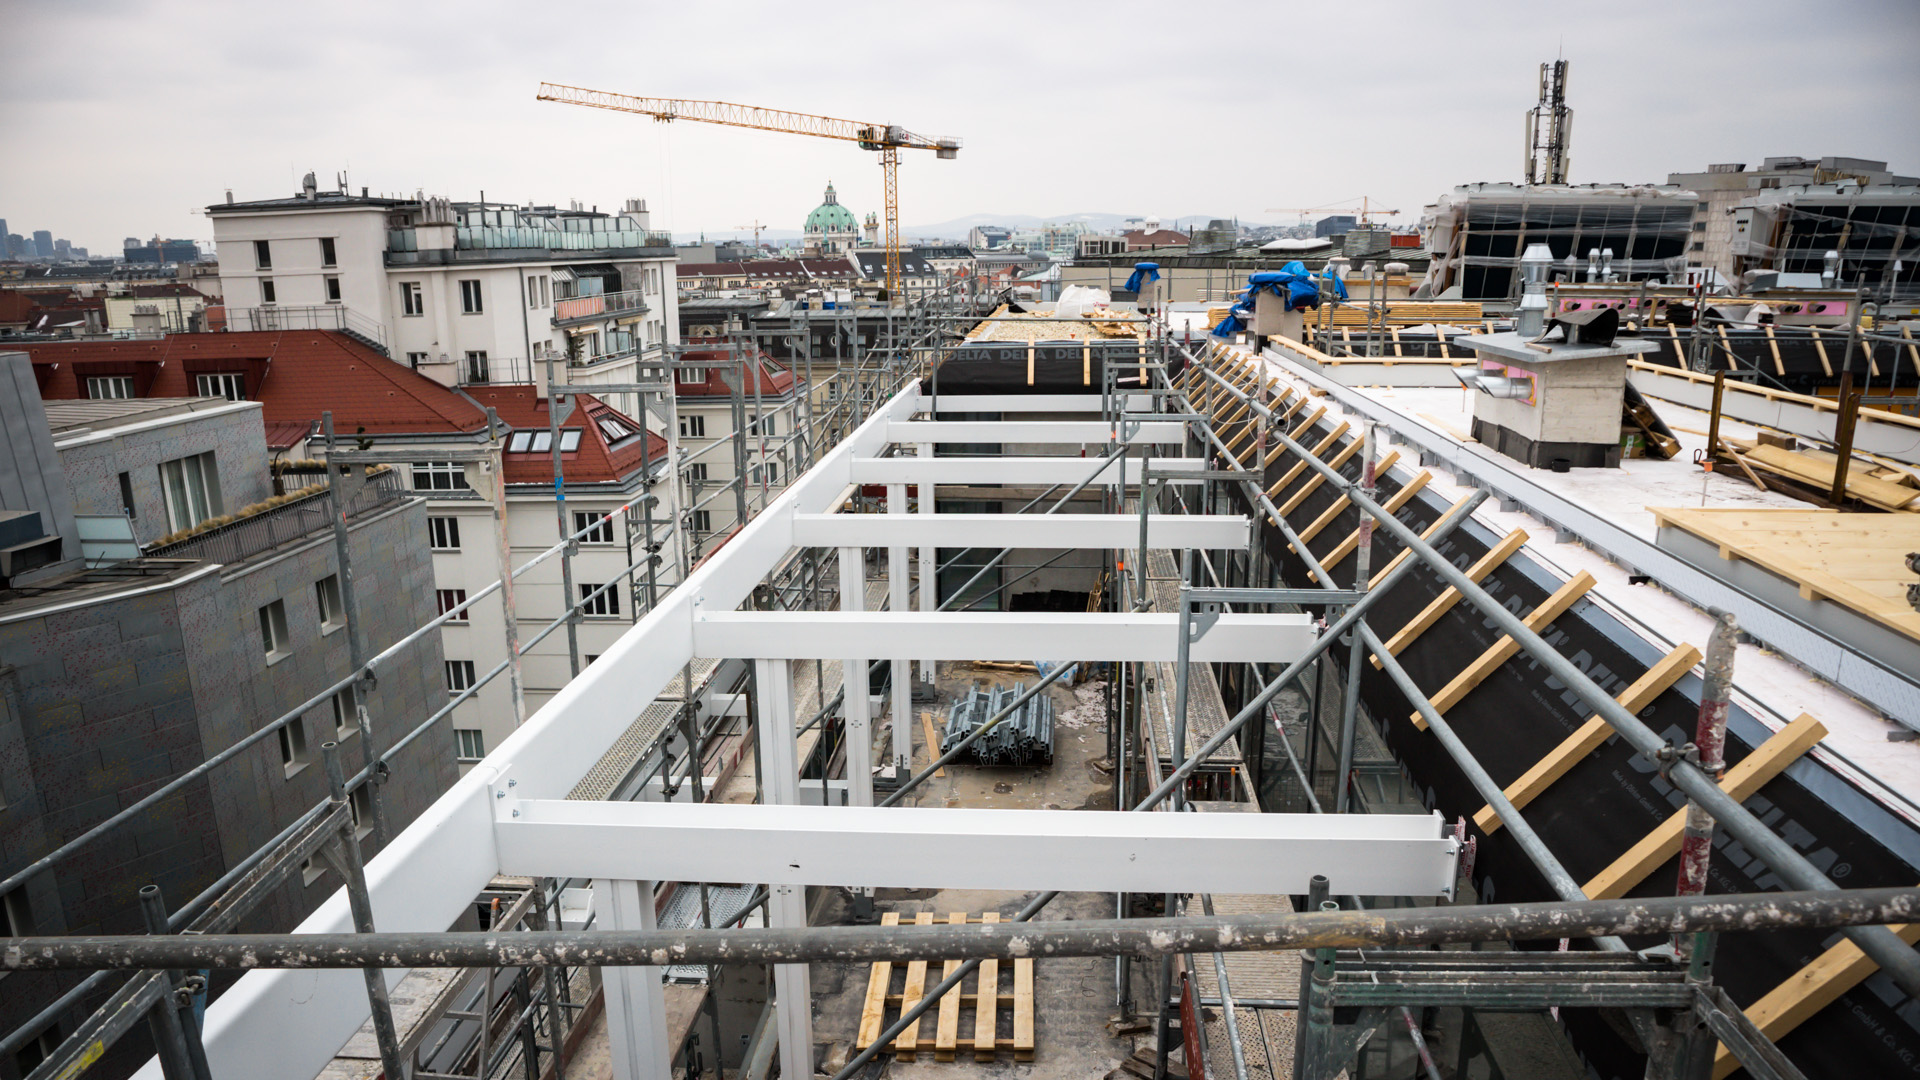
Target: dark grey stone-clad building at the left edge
(122, 674)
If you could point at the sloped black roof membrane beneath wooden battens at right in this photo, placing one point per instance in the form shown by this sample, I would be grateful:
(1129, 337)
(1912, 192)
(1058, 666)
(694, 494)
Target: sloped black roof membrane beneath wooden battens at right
(1614, 797)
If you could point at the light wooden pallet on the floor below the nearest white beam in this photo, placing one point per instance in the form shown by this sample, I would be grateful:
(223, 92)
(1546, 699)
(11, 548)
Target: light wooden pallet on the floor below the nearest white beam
(986, 1002)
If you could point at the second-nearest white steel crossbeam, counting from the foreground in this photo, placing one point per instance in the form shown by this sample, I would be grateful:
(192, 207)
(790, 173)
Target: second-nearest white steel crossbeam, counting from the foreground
(997, 635)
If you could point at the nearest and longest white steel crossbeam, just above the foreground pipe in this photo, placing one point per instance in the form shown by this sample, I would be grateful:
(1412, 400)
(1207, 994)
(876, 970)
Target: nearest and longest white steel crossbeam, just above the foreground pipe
(978, 848)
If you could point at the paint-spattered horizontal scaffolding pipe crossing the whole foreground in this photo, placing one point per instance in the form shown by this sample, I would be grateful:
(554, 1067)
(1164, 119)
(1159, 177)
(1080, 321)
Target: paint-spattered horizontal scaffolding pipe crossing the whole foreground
(1403, 927)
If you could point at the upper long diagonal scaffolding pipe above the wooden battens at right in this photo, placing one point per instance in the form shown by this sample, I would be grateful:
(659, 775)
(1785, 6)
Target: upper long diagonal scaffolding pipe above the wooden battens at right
(1883, 946)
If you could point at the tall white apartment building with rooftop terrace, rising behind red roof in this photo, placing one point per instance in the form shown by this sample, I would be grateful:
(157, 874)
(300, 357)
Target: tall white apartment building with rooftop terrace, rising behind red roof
(466, 293)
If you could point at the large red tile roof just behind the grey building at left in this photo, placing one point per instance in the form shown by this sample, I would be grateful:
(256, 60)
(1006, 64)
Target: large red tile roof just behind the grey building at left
(295, 376)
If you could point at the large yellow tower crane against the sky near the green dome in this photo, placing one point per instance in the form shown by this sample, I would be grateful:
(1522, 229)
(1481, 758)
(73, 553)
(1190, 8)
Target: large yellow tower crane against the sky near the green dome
(886, 139)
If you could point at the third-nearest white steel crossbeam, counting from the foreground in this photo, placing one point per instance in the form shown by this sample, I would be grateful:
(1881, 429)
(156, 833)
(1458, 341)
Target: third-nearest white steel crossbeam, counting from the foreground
(1090, 531)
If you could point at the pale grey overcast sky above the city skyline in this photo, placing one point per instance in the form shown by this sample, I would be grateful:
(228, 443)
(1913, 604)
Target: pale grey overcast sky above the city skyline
(124, 118)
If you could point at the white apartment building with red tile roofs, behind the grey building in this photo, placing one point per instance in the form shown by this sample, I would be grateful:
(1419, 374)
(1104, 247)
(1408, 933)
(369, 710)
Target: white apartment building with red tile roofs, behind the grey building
(387, 406)
